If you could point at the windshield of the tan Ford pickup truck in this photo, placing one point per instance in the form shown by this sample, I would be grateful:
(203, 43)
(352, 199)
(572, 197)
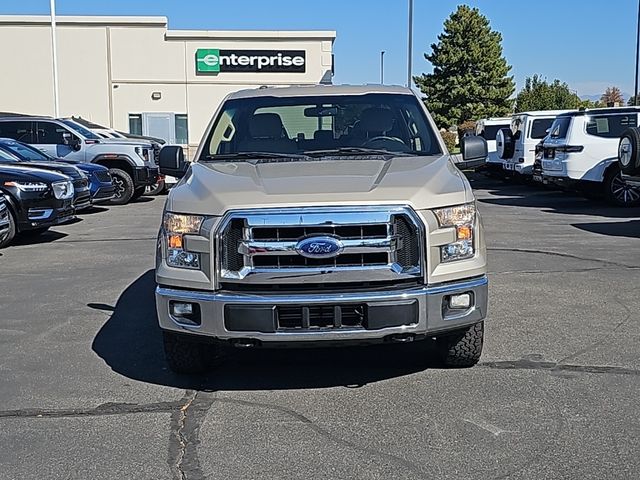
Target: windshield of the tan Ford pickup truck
(345, 124)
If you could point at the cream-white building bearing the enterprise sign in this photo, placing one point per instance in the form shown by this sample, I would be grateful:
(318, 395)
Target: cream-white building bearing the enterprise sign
(135, 75)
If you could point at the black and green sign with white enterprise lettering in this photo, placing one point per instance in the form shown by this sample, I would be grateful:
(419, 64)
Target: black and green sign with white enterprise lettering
(213, 60)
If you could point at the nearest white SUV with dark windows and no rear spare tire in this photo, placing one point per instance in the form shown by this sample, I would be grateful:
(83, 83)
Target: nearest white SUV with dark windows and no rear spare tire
(581, 152)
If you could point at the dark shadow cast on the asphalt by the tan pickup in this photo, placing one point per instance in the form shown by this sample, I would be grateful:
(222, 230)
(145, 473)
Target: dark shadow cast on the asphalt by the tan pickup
(130, 342)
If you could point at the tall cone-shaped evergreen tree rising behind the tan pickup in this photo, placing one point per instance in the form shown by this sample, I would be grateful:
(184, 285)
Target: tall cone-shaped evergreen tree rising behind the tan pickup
(470, 78)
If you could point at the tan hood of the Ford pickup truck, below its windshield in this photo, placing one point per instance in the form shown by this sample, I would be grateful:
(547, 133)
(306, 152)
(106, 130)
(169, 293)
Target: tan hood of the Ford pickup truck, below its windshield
(421, 182)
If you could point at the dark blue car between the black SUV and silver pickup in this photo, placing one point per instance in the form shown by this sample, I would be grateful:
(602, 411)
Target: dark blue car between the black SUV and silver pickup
(101, 187)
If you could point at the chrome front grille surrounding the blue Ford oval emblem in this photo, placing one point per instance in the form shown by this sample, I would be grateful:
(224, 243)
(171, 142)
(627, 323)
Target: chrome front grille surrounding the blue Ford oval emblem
(378, 245)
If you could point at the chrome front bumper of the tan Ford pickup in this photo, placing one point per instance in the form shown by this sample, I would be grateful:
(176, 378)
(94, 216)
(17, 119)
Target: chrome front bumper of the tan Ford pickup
(424, 310)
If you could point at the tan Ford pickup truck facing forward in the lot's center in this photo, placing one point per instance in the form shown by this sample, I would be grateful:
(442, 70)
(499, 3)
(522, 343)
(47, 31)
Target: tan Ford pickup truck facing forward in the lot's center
(316, 216)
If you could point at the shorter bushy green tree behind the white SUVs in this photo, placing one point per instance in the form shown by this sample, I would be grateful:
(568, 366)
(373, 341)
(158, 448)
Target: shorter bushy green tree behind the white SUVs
(538, 94)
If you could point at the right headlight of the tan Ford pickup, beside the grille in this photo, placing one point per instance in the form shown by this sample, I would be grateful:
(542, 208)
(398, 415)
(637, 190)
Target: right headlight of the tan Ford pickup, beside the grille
(463, 219)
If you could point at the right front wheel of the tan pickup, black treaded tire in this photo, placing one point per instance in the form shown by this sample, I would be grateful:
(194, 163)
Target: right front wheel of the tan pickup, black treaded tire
(461, 348)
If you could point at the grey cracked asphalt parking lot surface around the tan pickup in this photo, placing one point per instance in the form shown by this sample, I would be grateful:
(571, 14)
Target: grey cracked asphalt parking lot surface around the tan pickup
(85, 392)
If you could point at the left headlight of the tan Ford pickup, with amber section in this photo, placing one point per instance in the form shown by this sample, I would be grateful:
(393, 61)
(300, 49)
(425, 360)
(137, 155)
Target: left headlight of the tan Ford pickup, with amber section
(175, 226)
